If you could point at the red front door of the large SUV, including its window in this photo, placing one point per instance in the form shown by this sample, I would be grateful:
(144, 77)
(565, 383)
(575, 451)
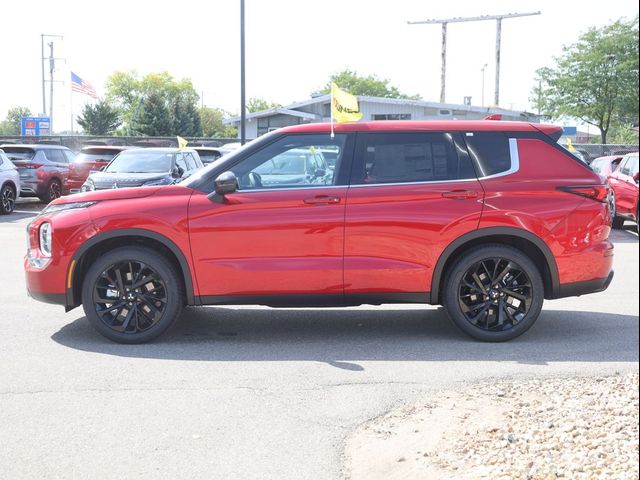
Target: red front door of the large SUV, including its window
(282, 232)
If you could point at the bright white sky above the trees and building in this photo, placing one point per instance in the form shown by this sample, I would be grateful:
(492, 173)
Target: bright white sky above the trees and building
(292, 47)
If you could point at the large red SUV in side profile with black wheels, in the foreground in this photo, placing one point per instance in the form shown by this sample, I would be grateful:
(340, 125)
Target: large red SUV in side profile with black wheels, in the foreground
(486, 218)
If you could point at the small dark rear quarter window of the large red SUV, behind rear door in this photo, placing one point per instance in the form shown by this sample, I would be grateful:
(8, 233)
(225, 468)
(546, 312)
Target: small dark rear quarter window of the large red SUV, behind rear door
(490, 151)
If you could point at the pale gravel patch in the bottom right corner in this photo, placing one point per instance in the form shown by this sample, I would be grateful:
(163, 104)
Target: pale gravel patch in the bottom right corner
(543, 429)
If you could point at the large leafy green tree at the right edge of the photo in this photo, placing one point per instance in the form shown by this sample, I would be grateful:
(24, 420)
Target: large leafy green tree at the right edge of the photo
(595, 79)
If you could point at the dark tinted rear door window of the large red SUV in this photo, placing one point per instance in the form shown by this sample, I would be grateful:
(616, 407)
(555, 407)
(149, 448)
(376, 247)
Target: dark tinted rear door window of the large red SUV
(409, 157)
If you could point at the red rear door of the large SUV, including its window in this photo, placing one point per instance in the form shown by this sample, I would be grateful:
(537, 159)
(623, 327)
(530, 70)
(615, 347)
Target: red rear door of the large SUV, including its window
(411, 194)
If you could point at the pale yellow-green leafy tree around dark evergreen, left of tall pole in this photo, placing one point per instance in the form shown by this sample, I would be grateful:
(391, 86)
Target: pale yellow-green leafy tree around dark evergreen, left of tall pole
(130, 91)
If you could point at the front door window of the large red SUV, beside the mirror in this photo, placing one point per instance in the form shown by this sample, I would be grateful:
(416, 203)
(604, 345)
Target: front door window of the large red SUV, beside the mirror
(290, 163)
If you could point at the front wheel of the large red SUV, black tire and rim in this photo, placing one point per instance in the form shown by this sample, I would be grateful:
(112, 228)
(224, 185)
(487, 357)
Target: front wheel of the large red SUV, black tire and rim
(142, 312)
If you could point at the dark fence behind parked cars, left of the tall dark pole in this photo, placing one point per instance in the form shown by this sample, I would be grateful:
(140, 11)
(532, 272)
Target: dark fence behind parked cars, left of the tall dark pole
(76, 142)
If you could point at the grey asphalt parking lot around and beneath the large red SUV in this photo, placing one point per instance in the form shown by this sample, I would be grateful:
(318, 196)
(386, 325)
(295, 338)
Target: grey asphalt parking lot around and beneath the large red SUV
(253, 392)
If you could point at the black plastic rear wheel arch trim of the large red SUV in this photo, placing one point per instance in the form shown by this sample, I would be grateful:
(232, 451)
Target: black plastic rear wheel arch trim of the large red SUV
(527, 242)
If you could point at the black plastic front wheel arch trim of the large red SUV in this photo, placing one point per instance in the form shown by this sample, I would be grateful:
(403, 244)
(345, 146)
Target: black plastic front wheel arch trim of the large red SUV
(88, 251)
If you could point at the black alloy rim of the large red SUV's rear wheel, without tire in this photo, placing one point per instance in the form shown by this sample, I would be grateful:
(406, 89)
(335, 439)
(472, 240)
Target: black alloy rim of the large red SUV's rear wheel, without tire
(495, 294)
